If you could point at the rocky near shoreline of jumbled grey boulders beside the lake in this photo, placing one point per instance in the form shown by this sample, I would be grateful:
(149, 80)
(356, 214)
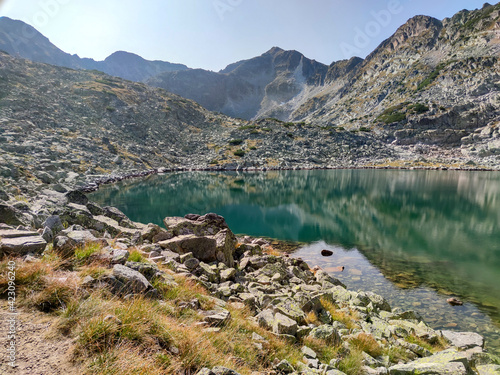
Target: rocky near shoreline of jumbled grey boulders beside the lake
(285, 295)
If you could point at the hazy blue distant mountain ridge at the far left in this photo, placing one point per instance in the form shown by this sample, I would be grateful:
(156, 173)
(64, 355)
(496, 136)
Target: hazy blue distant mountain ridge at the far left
(20, 39)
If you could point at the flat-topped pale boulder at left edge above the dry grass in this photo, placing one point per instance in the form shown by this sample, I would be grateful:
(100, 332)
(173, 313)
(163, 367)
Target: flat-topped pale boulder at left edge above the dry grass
(19, 243)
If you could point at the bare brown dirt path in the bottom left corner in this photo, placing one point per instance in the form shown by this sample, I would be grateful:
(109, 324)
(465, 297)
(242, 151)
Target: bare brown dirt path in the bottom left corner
(35, 353)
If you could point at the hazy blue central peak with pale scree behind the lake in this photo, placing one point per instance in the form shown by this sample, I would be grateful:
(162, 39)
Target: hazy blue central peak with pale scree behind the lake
(271, 85)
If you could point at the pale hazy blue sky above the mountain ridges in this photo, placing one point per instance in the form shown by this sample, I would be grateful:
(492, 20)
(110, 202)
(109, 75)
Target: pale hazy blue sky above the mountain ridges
(211, 34)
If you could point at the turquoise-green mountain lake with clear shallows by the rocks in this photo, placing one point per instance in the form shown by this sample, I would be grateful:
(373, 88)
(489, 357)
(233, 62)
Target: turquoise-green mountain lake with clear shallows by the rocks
(416, 237)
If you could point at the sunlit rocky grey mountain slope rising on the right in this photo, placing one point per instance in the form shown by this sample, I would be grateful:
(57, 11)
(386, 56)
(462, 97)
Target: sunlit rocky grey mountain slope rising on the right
(433, 83)
